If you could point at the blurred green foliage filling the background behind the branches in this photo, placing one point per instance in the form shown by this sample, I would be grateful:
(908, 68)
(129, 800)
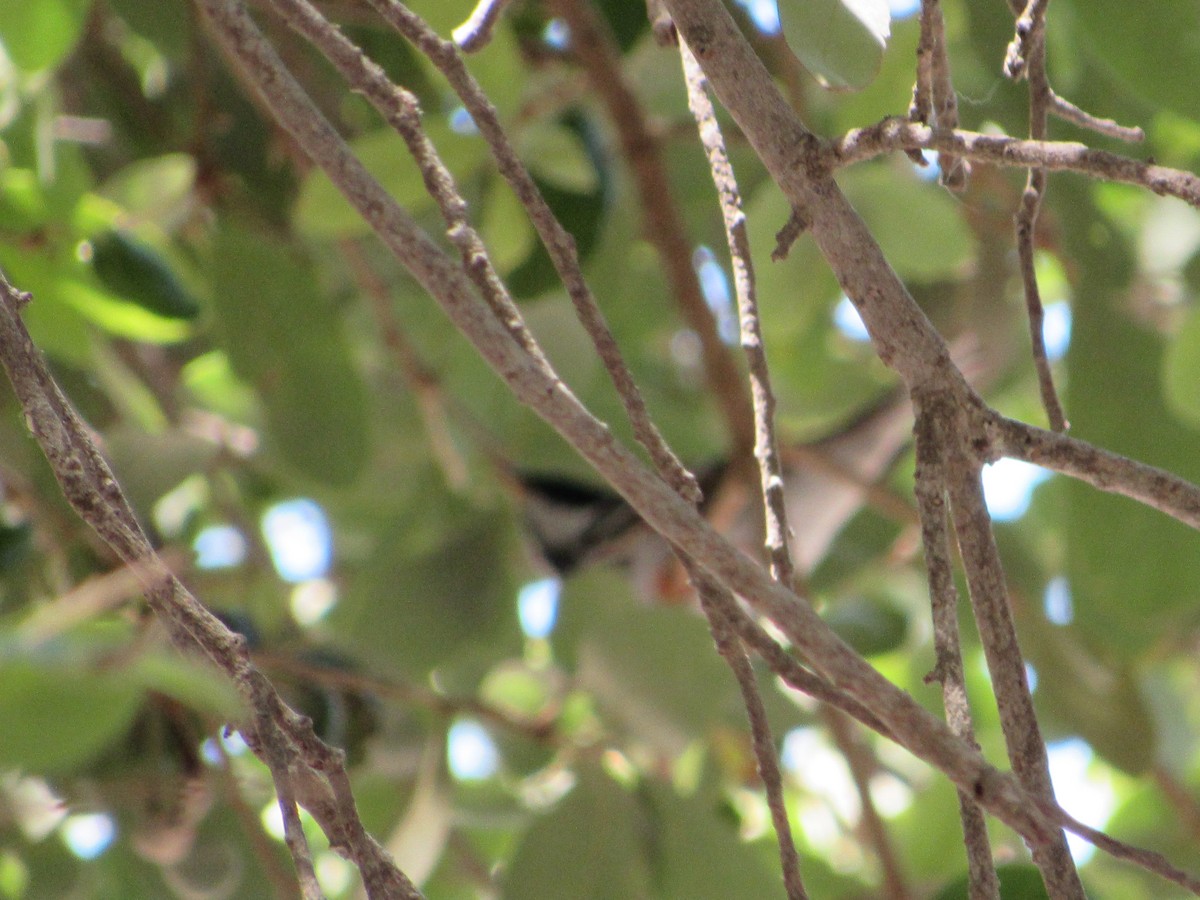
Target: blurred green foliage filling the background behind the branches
(238, 340)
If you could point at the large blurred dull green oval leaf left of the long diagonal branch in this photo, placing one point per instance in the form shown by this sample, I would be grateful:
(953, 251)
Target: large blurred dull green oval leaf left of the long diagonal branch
(281, 334)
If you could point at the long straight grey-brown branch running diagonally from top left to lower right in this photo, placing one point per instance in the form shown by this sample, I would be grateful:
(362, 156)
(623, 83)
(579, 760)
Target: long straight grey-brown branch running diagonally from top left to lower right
(656, 502)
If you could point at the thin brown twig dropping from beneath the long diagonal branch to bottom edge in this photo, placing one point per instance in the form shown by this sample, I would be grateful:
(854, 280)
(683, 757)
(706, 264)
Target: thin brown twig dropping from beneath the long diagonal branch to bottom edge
(716, 601)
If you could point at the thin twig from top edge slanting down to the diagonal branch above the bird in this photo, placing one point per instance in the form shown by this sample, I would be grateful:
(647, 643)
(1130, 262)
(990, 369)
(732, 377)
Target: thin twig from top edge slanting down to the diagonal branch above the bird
(559, 243)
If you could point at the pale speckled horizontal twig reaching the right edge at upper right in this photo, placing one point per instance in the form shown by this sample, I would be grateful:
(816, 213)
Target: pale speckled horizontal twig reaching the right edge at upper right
(893, 134)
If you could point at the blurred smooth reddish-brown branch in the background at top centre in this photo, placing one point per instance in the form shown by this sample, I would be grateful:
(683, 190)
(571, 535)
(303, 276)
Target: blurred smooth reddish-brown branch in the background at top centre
(596, 50)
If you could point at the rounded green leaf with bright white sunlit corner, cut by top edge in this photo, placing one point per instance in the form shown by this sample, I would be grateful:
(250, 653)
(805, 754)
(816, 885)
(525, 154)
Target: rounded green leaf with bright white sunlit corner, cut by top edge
(842, 43)
